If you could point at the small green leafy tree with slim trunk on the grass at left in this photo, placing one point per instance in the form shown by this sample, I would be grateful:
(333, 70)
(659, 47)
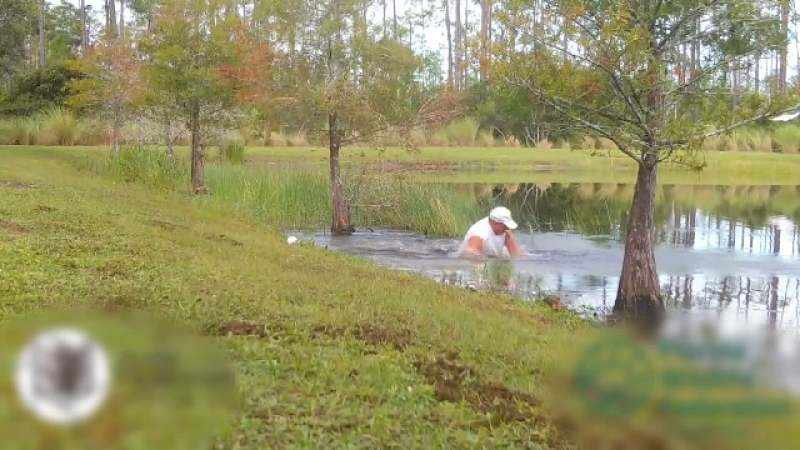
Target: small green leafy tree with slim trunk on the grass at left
(190, 41)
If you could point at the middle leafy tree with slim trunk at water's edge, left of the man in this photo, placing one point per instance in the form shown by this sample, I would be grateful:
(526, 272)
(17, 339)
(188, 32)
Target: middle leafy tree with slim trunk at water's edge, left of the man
(347, 84)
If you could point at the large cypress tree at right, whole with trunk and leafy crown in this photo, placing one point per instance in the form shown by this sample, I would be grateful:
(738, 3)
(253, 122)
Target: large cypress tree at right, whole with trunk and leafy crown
(621, 86)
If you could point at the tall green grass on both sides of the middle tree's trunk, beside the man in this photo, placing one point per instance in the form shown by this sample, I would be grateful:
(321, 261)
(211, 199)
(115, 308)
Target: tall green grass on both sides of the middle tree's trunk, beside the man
(300, 199)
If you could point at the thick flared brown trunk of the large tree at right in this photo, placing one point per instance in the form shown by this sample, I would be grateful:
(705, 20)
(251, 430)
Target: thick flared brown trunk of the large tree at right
(639, 295)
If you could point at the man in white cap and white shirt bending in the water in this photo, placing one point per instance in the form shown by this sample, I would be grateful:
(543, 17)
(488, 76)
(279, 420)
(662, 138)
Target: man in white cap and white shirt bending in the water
(491, 236)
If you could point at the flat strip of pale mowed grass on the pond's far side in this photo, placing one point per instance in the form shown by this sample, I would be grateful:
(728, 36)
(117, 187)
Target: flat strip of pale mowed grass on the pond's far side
(506, 164)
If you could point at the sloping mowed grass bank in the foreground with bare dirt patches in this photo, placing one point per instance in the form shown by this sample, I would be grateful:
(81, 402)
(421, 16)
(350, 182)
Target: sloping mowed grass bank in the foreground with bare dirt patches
(329, 351)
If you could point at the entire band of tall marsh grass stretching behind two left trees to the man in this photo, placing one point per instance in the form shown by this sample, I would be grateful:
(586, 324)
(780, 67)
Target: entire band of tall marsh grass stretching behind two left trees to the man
(300, 198)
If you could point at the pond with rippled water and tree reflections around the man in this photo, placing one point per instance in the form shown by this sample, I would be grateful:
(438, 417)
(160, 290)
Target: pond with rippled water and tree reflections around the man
(728, 251)
